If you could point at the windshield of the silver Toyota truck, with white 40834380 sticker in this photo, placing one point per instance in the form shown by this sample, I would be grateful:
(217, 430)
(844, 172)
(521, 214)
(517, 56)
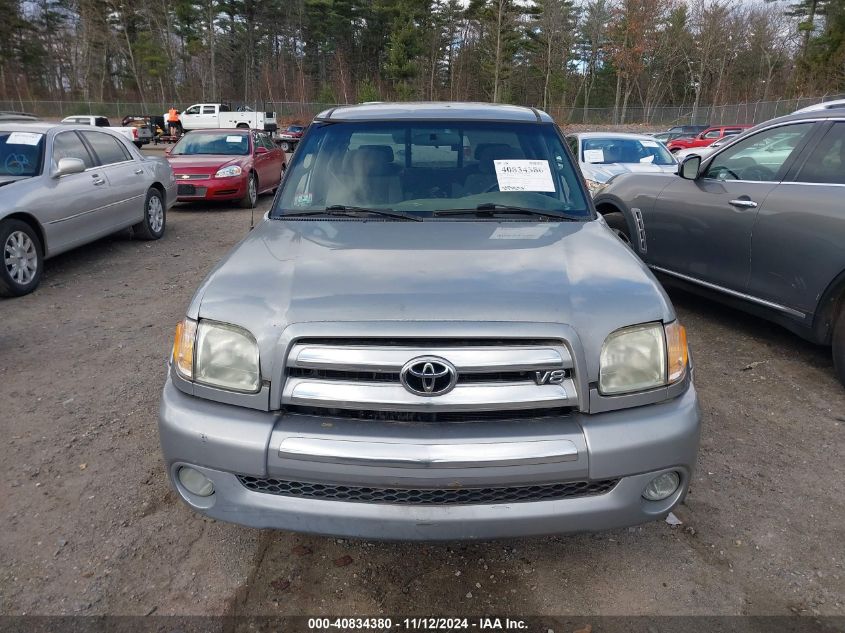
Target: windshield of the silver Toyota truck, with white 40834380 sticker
(420, 168)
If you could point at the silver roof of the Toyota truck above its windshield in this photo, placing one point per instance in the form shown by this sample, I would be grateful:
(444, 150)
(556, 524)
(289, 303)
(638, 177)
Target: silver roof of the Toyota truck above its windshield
(434, 110)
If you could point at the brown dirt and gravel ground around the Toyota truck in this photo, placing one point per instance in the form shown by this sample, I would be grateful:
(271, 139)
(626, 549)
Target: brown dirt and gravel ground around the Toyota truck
(90, 525)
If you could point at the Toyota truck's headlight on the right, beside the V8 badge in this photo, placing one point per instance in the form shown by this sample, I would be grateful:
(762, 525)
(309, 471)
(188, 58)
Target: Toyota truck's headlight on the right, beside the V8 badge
(642, 357)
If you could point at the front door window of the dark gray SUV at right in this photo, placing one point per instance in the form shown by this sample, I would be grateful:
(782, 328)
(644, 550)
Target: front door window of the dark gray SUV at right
(759, 157)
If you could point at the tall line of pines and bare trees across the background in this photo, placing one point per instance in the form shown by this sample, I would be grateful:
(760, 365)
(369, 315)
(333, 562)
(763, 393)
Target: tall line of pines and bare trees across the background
(548, 53)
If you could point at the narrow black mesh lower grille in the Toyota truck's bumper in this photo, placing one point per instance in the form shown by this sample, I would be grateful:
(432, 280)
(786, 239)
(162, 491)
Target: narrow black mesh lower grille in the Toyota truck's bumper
(458, 496)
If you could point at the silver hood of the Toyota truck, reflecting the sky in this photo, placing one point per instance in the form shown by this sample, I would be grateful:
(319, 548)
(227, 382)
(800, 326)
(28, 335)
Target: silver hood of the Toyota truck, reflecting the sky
(296, 271)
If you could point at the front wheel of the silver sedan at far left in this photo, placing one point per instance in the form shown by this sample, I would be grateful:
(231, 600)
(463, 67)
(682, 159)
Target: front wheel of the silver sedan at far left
(22, 263)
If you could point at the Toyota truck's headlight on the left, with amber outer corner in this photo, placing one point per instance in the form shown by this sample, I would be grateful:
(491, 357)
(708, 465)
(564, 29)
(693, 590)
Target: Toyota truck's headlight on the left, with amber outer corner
(218, 355)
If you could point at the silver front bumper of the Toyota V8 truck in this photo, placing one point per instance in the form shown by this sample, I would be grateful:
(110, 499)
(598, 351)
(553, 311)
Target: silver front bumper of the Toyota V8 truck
(633, 445)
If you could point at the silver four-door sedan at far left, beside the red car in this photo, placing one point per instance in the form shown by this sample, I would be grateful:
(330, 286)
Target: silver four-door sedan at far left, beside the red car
(61, 187)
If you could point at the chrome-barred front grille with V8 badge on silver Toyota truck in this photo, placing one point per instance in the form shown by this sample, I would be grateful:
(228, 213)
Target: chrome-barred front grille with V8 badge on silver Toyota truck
(493, 375)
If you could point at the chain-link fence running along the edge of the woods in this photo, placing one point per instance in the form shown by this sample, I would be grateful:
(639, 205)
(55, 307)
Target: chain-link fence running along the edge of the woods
(301, 112)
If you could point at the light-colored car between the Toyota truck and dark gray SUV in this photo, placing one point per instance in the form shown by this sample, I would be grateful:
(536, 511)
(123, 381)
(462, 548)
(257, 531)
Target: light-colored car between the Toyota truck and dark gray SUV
(603, 155)
